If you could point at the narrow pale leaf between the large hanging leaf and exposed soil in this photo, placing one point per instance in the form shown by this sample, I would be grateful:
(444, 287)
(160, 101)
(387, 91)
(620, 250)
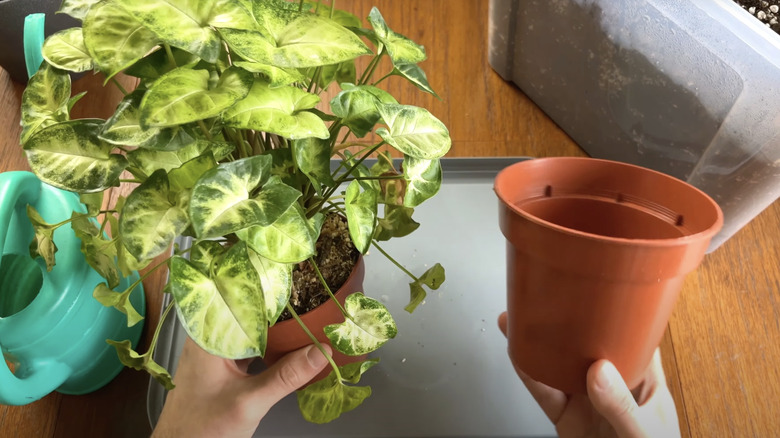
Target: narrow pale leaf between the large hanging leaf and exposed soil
(275, 282)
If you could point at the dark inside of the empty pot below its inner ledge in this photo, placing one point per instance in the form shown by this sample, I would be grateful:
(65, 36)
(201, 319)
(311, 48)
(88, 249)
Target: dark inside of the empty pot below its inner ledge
(602, 217)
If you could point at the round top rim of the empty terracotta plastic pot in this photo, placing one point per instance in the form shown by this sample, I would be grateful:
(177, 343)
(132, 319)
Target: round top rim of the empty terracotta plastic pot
(706, 234)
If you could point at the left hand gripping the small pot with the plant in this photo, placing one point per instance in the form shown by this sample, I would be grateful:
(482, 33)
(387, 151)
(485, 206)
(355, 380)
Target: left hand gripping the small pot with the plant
(216, 397)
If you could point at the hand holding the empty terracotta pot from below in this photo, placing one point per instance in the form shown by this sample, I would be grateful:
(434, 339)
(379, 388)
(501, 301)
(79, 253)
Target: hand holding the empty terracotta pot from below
(609, 409)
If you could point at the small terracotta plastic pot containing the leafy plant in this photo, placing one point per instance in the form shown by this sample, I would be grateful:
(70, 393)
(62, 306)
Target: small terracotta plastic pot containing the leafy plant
(287, 335)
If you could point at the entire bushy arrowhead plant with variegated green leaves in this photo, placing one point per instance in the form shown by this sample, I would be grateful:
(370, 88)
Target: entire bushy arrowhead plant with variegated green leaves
(227, 139)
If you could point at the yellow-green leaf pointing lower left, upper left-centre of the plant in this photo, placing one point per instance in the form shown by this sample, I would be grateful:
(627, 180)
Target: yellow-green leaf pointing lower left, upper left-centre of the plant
(184, 95)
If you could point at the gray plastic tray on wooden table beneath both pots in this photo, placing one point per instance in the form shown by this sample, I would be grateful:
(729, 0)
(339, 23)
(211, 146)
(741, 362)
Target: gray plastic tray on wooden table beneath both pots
(447, 373)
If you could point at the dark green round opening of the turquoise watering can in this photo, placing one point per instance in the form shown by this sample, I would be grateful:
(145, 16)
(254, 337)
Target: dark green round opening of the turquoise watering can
(20, 281)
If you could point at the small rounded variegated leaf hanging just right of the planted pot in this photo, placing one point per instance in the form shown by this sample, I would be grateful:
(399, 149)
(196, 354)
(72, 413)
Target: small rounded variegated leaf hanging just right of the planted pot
(367, 327)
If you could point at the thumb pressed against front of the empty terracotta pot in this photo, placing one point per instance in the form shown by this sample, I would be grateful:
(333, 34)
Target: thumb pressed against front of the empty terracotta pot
(613, 400)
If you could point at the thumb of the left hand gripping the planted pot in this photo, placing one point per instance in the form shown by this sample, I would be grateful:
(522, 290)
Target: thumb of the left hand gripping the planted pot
(288, 374)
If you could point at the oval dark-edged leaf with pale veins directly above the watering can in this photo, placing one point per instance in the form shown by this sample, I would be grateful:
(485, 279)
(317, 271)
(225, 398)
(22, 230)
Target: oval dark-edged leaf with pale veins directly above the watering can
(70, 156)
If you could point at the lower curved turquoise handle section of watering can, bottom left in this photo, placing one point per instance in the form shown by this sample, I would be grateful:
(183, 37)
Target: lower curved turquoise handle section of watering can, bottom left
(40, 380)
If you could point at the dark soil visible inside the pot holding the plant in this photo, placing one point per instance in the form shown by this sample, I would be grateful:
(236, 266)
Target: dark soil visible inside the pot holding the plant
(336, 256)
